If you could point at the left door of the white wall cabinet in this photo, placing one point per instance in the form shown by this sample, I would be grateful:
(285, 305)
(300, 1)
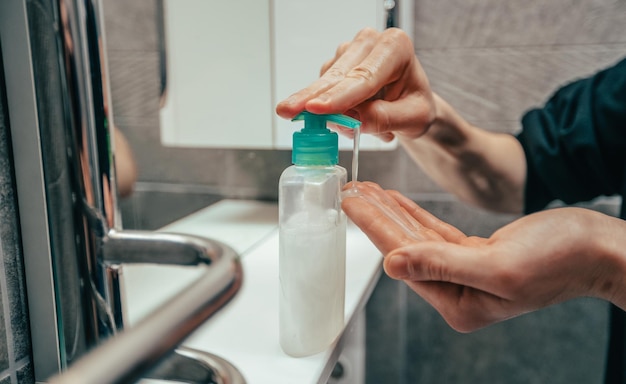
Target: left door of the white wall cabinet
(218, 63)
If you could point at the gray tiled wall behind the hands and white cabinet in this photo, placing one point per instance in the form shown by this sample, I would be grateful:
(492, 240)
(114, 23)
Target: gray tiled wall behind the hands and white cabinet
(490, 59)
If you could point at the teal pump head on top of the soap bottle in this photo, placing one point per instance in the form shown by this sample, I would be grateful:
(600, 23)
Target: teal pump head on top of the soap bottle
(315, 144)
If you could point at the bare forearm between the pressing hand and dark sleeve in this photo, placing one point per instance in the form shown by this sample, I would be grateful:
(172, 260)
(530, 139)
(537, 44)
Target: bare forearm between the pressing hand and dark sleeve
(482, 168)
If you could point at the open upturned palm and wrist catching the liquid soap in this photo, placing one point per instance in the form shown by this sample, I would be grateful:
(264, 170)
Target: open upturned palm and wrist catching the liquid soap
(538, 260)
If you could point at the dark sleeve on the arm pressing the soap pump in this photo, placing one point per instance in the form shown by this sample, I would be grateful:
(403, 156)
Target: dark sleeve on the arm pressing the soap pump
(575, 145)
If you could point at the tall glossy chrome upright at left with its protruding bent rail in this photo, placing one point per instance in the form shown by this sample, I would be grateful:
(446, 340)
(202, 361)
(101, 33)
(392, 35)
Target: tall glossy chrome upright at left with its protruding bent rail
(74, 243)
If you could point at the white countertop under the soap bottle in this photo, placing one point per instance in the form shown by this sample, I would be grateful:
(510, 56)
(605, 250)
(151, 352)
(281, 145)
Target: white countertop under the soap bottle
(245, 331)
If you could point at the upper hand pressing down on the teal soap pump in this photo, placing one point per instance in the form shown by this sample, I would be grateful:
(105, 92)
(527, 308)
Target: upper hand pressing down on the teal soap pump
(377, 79)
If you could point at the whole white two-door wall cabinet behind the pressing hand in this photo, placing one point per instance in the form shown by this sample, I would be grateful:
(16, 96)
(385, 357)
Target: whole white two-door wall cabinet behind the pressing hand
(230, 62)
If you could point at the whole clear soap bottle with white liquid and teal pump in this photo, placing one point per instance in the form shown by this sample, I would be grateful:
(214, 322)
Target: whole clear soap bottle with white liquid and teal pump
(312, 236)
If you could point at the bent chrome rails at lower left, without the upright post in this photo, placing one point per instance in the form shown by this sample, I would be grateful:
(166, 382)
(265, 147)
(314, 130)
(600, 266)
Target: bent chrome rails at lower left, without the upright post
(145, 349)
